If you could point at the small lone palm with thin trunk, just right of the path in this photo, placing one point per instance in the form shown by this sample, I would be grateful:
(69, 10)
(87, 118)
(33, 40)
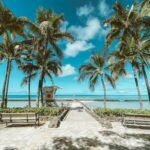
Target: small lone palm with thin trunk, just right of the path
(95, 70)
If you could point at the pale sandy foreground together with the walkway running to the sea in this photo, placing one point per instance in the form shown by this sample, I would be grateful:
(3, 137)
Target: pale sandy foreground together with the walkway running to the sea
(78, 130)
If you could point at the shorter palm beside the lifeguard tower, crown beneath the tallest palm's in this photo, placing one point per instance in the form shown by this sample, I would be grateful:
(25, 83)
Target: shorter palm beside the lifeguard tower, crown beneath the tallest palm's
(48, 64)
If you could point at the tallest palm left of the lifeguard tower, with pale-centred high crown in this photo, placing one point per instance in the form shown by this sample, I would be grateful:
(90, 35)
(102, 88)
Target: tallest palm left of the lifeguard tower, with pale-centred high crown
(46, 33)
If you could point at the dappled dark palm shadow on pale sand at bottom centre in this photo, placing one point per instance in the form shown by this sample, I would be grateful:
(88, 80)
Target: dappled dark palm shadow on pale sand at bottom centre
(84, 143)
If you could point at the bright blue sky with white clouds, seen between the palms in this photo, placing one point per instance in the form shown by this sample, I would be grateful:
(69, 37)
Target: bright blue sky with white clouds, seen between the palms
(83, 18)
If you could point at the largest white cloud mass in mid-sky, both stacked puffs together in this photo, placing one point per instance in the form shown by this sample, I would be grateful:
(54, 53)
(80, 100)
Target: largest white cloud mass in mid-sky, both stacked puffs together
(83, 36)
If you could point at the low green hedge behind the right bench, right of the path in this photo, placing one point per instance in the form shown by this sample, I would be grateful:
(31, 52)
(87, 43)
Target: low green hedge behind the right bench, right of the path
(119, 112)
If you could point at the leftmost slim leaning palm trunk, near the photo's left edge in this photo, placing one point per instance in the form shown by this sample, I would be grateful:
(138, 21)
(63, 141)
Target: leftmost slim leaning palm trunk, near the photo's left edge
(5, 83)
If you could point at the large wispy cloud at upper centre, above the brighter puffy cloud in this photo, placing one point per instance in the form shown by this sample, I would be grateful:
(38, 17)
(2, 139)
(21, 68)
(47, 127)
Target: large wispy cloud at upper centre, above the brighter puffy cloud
(87, 32)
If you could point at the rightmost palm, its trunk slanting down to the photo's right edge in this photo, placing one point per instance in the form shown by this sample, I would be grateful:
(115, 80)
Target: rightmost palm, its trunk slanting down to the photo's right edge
(140, 52)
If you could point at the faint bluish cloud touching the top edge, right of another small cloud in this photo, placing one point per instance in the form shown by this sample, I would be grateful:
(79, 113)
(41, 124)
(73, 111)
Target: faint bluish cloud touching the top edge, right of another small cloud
(104, 8)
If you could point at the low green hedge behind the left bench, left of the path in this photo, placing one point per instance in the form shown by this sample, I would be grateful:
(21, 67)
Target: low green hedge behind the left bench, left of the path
(43, 111)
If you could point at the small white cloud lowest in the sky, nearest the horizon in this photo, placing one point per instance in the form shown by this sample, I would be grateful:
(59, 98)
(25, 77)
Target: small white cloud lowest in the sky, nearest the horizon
(67, 70)
